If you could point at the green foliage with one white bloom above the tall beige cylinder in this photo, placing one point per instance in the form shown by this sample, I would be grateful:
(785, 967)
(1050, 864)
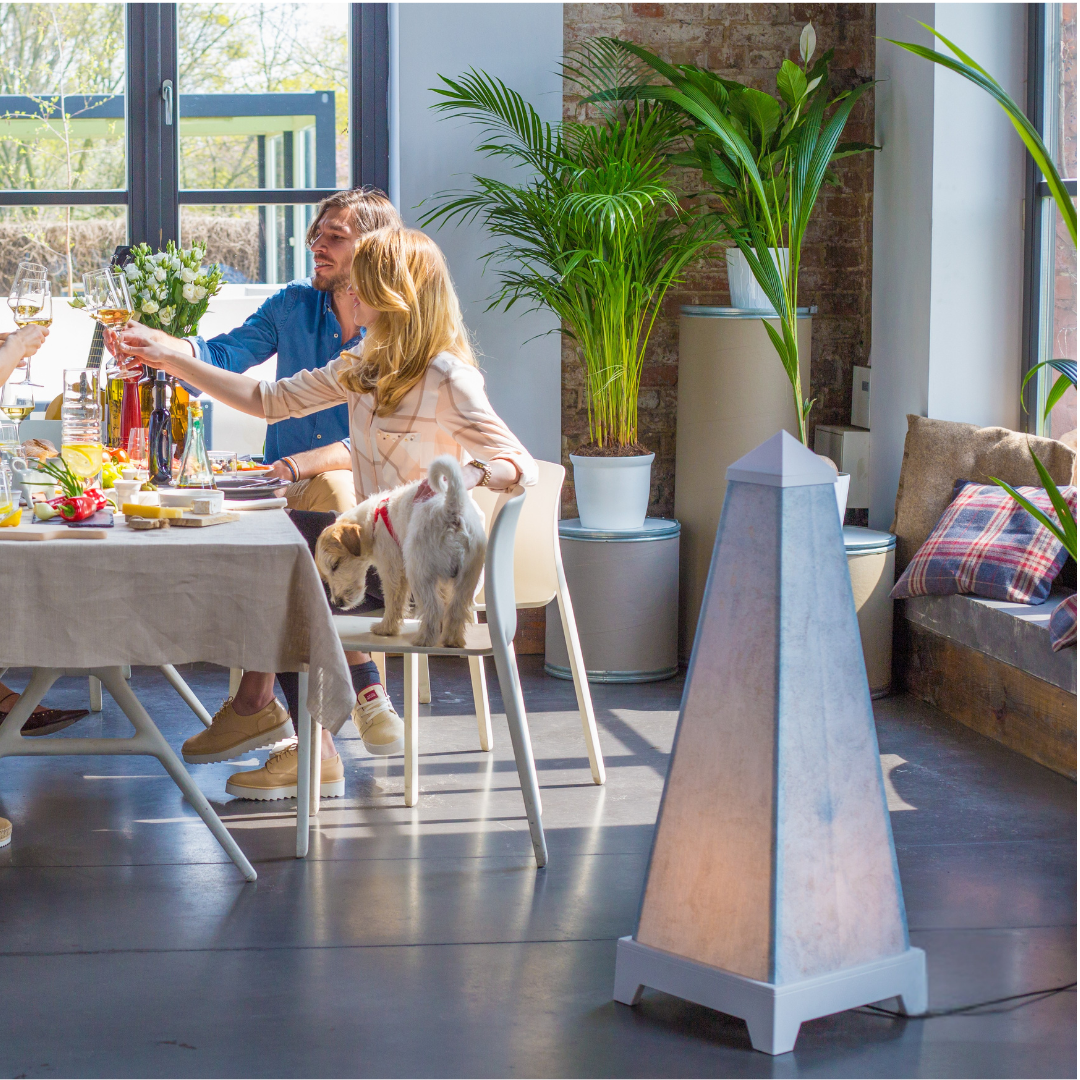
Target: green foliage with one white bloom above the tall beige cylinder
(763, 164)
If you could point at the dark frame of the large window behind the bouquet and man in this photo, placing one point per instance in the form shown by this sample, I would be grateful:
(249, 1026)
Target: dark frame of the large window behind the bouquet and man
(152, 141)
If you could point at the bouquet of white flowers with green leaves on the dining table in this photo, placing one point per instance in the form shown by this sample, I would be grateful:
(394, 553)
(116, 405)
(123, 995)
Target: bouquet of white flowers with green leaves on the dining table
(171, 290)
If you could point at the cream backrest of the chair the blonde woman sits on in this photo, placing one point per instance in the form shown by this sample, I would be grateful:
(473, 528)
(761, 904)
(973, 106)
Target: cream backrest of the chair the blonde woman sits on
(536, 579)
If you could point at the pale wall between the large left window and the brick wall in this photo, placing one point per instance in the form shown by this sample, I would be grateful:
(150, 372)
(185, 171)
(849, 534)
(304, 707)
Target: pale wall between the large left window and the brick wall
(520, 44)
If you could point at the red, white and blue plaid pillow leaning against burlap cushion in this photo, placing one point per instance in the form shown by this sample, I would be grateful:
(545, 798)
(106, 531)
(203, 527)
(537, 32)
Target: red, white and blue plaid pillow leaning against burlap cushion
(988, 545)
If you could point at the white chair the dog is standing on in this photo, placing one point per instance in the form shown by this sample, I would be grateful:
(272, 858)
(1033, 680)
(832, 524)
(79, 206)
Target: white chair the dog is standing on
(494, 639)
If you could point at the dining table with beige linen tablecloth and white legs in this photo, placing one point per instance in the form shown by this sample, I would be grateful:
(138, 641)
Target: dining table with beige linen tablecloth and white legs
(241, 595)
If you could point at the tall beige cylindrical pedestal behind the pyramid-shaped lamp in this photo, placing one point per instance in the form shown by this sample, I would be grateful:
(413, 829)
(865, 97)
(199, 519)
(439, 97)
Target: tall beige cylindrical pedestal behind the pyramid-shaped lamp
(733, 396)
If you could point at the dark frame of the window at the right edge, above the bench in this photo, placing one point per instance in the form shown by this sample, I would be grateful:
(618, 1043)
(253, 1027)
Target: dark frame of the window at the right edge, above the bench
(1038, 236)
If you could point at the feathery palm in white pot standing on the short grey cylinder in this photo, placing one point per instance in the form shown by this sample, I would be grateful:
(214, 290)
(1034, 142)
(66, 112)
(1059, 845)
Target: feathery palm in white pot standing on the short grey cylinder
(593, 232)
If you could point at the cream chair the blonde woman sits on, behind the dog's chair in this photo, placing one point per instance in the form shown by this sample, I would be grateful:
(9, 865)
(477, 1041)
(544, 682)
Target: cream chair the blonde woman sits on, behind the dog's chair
(538, 580)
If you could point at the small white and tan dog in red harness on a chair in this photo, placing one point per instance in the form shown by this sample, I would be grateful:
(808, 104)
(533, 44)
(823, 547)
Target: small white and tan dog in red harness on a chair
(434, 549)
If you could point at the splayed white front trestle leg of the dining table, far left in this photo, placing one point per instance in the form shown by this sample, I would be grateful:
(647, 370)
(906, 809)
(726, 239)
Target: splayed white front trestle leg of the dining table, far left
(146, 741)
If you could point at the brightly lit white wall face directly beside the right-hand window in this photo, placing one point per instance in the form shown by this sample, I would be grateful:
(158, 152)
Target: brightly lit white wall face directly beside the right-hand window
(978, 262)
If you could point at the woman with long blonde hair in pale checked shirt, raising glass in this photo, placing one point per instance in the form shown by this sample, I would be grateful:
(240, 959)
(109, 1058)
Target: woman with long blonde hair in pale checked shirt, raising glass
(414, 393)
